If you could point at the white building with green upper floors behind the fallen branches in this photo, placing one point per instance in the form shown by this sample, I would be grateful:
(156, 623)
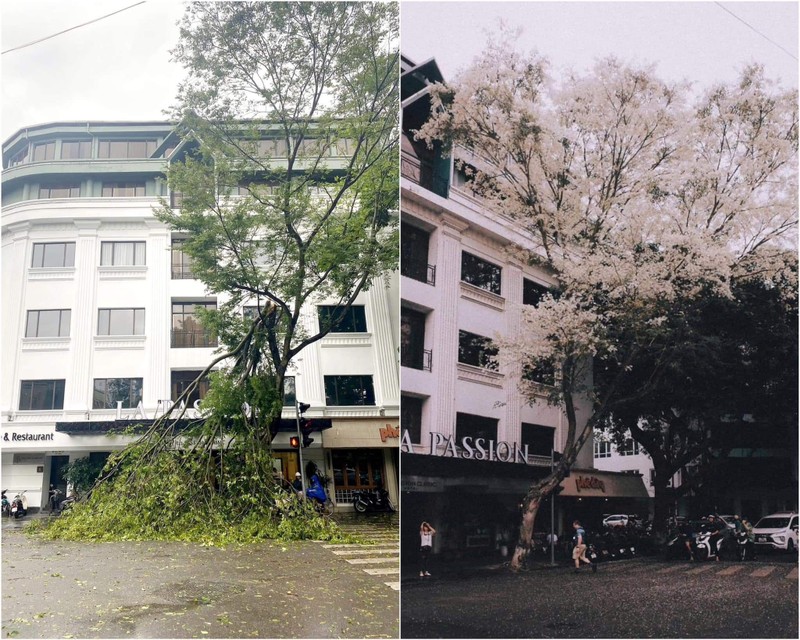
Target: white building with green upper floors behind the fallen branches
(99, 309)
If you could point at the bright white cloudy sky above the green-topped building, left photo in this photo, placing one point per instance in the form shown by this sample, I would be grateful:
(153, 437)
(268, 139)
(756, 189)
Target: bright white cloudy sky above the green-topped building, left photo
(115, 69)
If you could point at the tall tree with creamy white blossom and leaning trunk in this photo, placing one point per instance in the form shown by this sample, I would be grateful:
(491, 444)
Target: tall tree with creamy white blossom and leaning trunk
(639, 197)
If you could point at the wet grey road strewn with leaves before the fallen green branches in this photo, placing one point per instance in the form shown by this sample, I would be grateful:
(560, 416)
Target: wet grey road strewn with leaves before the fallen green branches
(181, 590)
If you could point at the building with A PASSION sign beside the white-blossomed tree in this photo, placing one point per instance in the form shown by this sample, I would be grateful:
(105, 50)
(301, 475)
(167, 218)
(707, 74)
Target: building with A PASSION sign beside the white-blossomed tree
(472, 442)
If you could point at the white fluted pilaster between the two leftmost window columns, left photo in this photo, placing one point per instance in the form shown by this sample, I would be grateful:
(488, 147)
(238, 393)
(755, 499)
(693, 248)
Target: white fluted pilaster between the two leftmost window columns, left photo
(84, 316)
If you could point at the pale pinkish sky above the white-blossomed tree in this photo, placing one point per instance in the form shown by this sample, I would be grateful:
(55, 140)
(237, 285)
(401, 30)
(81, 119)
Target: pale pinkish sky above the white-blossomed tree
(697, 41)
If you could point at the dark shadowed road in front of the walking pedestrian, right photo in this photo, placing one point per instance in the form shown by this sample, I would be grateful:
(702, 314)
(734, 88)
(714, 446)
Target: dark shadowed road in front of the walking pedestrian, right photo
(642, 598)
